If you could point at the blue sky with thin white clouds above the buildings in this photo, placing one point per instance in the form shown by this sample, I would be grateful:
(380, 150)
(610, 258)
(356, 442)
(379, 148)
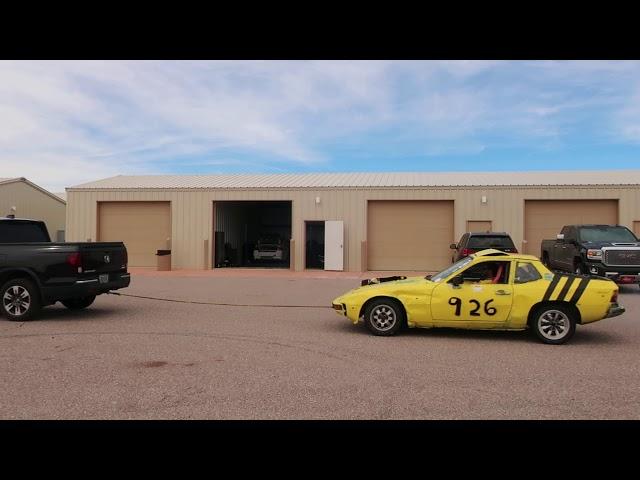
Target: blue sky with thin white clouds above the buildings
(67, 122)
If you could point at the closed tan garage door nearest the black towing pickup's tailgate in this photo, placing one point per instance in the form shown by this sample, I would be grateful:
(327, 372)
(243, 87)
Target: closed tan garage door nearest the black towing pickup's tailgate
(144, 227)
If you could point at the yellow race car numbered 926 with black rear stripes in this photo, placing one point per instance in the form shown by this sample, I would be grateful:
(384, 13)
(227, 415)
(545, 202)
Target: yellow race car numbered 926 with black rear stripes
(489, 290)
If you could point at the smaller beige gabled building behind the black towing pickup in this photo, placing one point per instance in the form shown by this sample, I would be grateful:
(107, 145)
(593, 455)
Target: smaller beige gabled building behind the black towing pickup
(32, 203)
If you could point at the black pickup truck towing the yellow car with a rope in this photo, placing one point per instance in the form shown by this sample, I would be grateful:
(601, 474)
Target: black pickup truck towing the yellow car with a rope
(34, 272)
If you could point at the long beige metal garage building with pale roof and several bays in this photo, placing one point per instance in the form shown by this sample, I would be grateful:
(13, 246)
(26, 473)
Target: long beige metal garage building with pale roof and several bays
(341, 221)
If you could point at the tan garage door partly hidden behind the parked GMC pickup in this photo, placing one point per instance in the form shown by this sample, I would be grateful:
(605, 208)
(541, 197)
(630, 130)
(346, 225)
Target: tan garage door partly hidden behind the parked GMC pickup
(543, 219)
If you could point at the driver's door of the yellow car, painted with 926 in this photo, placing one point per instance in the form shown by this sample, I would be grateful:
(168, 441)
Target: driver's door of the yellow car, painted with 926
(476, 302)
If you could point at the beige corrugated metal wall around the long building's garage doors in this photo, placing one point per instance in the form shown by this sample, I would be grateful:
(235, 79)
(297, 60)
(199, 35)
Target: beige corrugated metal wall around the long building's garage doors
(192, 212)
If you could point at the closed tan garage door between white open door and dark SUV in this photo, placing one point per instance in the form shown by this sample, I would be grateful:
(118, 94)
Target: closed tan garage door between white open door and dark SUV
(409, 235)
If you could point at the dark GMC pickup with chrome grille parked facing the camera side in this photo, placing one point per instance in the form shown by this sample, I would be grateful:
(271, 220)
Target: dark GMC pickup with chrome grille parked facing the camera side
(611, 251)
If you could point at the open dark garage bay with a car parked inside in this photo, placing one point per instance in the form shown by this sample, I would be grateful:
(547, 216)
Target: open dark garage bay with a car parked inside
(252, 234)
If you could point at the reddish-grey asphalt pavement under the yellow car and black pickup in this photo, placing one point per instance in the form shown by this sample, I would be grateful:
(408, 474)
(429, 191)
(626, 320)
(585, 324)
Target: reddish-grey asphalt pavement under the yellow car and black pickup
(135, 358)
